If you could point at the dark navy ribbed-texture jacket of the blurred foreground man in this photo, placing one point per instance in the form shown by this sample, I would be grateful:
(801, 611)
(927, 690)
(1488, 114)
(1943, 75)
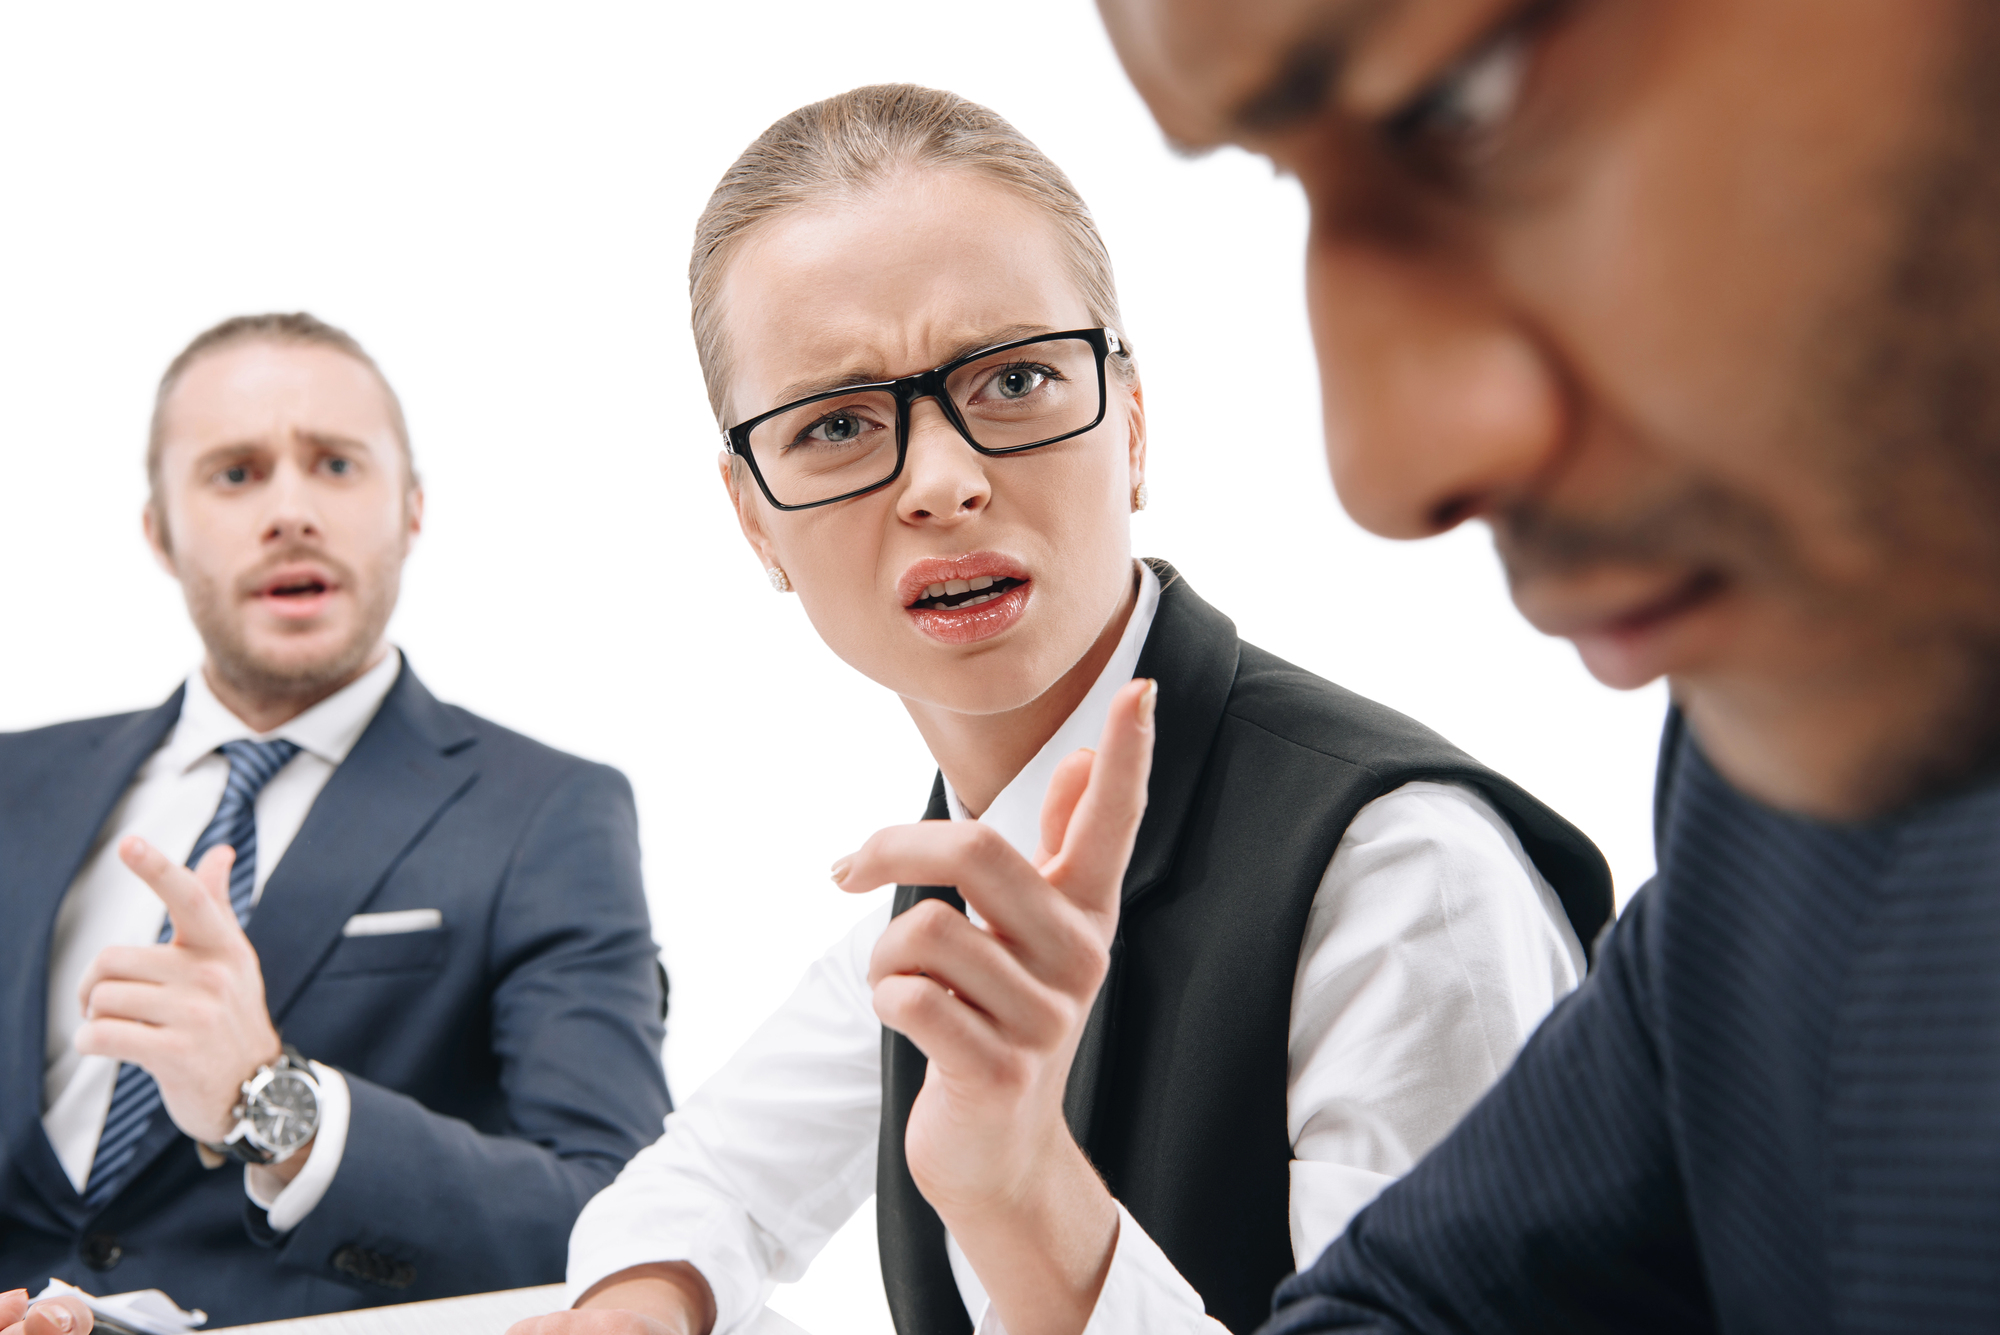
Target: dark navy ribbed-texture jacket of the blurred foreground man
(1775, 1106)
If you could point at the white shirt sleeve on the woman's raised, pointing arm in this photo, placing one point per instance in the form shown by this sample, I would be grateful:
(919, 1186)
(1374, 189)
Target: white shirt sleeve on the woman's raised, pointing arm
(1433, 950)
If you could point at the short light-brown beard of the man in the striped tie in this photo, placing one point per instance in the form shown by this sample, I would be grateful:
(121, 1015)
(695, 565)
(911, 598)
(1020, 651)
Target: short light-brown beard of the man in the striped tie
(293, 680)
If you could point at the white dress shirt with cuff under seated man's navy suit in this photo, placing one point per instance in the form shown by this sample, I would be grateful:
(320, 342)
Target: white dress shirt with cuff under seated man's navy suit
(169, 804)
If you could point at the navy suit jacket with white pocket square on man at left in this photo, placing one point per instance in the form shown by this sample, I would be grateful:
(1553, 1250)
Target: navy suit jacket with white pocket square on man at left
(503, 1068)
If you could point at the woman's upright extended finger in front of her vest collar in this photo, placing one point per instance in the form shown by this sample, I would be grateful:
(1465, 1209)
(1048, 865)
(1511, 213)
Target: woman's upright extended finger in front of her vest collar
(1097, 844)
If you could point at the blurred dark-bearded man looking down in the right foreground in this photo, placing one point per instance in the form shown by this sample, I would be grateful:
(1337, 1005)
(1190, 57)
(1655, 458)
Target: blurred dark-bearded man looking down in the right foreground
(1697, 303)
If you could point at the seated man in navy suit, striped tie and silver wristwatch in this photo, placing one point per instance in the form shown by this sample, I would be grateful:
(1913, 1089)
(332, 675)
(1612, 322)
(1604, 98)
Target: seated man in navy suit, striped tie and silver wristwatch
(443, 918)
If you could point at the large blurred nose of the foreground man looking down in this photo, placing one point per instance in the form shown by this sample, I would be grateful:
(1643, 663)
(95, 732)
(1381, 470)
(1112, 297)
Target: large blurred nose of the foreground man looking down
(1439, 407)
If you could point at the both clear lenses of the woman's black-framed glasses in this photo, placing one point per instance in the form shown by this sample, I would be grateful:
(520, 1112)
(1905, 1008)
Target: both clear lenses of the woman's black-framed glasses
(1009, 401)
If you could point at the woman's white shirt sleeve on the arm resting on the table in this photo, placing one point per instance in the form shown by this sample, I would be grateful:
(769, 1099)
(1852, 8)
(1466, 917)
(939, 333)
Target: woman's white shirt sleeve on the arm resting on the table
(769, 1158)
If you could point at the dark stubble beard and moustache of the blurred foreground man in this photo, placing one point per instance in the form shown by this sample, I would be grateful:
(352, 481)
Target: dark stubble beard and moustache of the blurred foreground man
(1899, 419)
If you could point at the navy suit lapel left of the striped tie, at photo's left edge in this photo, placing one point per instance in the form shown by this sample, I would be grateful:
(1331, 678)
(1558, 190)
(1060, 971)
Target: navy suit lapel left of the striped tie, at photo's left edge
(49, 822)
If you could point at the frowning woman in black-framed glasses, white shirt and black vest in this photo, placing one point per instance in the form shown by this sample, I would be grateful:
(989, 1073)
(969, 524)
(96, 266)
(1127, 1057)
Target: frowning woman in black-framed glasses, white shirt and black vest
(1133, 1102)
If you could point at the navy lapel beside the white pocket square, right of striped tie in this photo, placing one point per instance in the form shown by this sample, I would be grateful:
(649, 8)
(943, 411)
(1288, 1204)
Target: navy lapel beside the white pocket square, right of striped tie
(411, 764)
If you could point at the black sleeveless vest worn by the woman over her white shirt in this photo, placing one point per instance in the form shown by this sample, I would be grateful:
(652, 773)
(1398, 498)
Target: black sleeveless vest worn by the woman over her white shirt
(1179, 1082)
